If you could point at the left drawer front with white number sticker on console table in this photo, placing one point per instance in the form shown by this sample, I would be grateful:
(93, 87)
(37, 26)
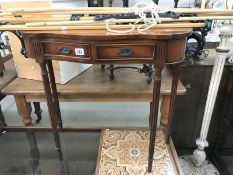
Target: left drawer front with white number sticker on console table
(74, 50)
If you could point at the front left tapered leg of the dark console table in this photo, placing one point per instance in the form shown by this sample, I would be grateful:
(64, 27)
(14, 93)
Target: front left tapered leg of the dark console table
(50, 103)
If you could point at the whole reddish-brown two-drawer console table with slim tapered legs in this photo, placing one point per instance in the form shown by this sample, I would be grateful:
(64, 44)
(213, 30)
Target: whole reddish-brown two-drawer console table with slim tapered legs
(155, 46)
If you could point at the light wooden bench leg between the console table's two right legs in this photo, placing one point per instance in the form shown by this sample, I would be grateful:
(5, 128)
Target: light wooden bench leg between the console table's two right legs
(165, 109)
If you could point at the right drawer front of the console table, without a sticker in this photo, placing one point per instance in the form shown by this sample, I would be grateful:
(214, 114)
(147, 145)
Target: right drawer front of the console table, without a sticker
(125, 51)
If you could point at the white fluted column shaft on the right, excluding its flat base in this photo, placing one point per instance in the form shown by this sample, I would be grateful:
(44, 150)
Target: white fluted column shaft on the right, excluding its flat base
(222, 50)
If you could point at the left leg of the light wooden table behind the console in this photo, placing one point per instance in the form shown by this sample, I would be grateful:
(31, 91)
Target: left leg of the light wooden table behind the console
(24, 109)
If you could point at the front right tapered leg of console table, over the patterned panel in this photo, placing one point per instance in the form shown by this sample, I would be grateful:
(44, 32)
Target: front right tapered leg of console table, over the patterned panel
(154, 116)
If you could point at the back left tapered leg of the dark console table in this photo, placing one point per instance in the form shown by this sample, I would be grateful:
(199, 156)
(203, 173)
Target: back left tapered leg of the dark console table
(54, 94)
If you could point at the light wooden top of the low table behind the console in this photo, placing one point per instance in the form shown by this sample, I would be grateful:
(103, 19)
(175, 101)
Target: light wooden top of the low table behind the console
(95, 82)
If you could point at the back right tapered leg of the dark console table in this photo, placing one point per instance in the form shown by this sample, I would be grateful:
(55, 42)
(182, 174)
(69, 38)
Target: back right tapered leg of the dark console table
(172, 100)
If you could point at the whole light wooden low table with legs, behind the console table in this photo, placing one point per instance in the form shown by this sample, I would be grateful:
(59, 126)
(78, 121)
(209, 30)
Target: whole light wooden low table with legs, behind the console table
(128, 86)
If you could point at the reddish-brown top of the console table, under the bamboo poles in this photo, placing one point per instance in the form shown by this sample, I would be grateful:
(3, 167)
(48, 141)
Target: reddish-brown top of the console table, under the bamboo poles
(164, 33)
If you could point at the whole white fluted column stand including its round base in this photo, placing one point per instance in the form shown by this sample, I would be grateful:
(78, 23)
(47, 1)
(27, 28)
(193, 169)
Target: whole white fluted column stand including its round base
(197, 163)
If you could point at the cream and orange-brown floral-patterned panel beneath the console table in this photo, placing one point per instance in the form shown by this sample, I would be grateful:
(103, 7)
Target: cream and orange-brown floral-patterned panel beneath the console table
(124, 152)
